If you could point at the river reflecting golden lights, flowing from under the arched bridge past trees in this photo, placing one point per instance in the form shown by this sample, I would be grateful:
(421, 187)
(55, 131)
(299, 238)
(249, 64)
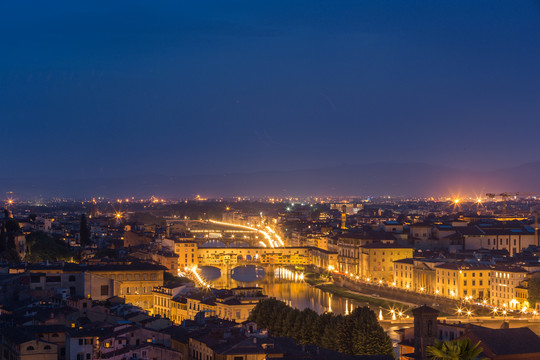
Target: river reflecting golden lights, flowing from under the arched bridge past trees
(283, 285)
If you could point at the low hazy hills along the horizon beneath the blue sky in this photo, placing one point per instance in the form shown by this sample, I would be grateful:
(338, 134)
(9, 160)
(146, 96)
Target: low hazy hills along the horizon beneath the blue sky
(396, 179)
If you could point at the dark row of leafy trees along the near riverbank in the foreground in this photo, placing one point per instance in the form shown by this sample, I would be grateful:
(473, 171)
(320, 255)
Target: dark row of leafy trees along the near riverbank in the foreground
(356, 334)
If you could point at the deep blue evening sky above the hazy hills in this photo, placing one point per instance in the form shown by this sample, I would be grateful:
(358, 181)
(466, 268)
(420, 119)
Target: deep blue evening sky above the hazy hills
(107, 88)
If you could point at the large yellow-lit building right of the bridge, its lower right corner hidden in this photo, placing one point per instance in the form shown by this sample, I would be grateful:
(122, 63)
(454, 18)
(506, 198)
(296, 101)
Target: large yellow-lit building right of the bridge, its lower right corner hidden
(377, 260)
